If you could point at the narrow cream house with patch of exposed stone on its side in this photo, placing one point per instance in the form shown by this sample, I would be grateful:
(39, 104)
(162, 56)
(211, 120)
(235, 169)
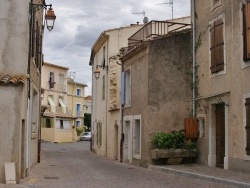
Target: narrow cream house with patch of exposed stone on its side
(106, 114)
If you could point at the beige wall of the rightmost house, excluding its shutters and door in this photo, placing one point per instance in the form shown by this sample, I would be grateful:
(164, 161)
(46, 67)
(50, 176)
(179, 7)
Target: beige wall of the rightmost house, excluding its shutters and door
(234, 80)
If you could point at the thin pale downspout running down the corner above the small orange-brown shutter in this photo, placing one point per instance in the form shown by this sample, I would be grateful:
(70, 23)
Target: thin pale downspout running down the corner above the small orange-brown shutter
(194, 55)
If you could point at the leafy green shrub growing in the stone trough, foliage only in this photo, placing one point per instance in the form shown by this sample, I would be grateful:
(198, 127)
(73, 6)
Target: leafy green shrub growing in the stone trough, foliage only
(173, 140)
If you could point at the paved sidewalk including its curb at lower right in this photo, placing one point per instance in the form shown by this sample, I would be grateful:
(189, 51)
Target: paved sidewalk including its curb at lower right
(227, 177)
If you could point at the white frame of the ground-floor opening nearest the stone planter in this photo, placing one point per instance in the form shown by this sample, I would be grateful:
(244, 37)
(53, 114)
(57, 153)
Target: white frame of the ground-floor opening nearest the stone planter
(136, 155)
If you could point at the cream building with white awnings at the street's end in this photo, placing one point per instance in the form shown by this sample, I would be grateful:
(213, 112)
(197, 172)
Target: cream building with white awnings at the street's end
(58, 123)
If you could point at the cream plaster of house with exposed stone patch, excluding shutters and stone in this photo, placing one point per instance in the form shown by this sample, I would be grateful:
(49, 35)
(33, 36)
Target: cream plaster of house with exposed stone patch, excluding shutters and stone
(118, 38)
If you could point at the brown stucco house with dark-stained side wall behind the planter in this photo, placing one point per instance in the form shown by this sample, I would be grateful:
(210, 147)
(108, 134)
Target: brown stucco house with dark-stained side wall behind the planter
(158, 77)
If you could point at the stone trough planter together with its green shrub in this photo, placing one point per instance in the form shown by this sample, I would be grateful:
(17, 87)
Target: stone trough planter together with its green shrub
(172, 147)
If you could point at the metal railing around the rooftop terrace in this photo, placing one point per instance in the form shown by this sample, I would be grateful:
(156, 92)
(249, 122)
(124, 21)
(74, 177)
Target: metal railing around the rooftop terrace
(155, 29)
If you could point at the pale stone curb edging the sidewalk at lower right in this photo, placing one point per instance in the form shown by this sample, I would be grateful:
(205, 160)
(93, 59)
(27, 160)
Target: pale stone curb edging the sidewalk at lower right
(200, 176)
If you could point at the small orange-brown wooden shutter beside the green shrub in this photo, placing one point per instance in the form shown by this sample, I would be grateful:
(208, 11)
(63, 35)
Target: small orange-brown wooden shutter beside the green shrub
(191, 128)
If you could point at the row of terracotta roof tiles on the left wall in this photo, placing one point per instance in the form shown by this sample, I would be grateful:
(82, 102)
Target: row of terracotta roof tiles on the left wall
(15, 80)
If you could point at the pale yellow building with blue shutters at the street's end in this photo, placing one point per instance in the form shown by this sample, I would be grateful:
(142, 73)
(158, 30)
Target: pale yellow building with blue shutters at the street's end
(76, 102)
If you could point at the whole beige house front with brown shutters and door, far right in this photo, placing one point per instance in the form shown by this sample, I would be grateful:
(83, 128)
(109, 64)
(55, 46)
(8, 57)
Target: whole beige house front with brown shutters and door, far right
(222, 80)
